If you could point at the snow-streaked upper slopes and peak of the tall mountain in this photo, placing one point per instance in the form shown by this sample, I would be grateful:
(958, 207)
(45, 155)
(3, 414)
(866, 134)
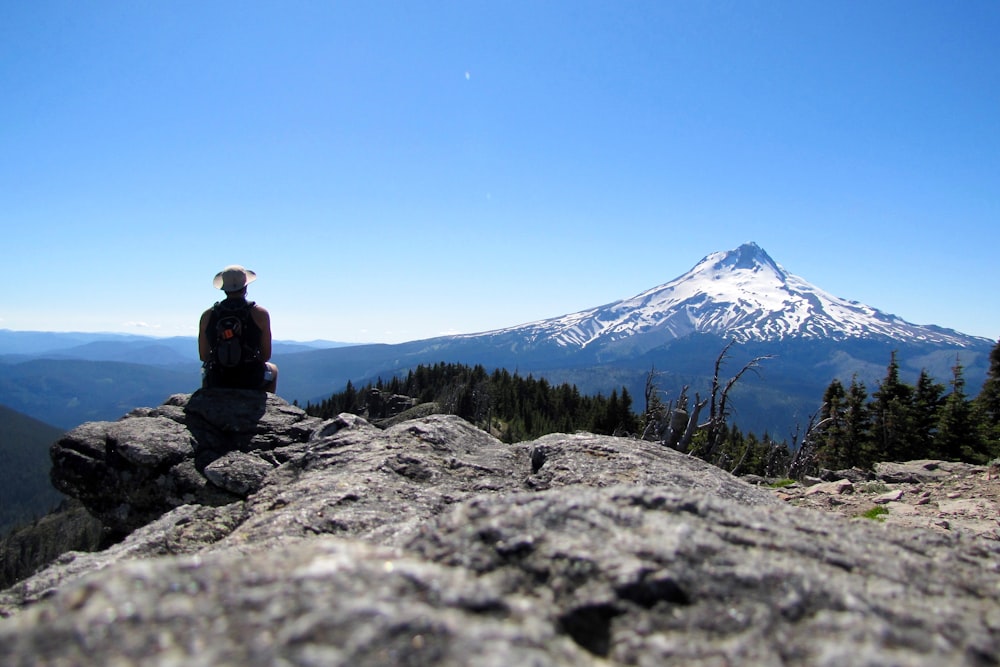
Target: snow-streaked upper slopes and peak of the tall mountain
(739, 294)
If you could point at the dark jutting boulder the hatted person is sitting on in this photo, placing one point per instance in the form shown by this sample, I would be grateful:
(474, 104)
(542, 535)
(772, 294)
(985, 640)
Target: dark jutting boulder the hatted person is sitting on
(131, 471)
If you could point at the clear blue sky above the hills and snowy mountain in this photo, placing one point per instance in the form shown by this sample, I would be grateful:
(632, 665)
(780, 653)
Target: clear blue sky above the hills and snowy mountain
(402, 170)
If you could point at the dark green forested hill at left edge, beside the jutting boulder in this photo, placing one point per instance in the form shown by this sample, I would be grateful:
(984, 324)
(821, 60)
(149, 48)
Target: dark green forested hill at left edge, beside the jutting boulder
(25, 490)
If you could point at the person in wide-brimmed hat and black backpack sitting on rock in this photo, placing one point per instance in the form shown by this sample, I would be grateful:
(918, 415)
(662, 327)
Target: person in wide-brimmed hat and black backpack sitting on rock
(234, 337)
